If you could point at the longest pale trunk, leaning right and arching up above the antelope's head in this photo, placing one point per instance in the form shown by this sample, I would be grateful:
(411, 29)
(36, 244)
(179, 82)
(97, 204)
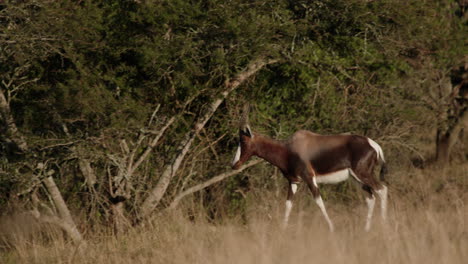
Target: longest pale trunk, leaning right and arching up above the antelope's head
(156, 194)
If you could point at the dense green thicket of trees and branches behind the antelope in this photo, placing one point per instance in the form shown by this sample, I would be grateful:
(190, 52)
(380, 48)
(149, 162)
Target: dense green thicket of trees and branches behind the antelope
(123, 105)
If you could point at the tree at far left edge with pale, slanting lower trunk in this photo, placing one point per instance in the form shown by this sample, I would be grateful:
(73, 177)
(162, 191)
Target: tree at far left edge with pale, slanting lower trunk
(23, 43)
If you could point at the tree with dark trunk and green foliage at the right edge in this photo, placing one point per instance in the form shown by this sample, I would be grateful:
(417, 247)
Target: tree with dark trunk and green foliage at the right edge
(440, 72)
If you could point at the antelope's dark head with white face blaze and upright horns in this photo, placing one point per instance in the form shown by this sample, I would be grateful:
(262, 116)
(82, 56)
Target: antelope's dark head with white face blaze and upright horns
(245, 148)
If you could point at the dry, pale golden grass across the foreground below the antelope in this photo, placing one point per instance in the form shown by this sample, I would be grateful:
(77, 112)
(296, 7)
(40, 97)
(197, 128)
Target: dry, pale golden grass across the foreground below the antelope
(426, 225)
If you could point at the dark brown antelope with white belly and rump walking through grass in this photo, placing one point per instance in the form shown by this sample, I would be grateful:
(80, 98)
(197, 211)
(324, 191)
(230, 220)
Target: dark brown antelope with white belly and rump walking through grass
(317, 159)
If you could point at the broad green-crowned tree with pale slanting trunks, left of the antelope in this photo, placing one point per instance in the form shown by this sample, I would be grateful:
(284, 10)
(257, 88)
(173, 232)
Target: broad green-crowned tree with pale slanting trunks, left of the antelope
(109, 65)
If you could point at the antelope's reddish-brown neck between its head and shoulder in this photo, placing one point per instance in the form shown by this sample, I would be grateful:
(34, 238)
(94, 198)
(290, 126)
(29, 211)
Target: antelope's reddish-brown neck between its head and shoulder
(273, 151)
